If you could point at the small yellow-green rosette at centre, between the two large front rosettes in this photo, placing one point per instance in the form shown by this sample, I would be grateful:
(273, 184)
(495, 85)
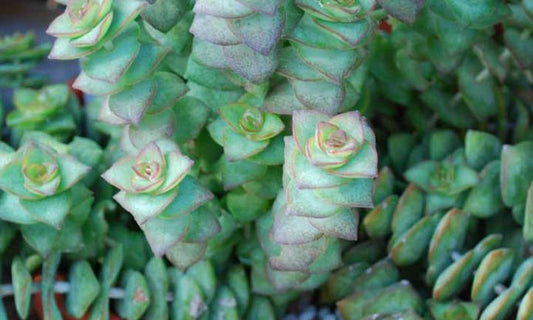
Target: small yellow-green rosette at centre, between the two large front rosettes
(246, 132)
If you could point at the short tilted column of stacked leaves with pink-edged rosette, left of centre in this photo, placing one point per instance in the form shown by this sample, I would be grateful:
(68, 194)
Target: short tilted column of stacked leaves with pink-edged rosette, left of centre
(167, 204)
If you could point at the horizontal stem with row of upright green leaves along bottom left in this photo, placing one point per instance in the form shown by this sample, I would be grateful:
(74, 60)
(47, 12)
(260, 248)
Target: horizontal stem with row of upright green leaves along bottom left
(199, 292)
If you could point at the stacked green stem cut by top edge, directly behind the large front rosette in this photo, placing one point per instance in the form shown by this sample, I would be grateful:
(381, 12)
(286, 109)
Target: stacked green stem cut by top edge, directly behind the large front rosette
(326, 29)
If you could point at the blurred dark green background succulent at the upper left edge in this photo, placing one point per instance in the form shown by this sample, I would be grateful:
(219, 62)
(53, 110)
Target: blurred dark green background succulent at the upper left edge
(18, 56)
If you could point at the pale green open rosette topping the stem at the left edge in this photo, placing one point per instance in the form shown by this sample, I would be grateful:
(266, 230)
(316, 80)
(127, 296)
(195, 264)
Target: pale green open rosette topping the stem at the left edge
(40, 183)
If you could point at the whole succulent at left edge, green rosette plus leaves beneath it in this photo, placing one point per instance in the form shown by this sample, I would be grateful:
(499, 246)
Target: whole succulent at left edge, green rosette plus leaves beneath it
(43, 192)
